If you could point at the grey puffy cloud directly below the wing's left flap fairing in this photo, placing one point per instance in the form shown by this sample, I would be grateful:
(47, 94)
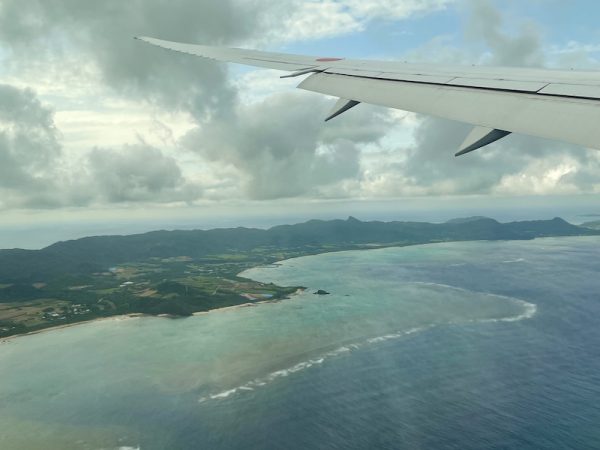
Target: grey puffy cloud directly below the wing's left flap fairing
(283, 148)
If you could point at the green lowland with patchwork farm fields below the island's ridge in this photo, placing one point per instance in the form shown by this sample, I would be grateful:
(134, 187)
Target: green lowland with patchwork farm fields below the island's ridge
(174, 286)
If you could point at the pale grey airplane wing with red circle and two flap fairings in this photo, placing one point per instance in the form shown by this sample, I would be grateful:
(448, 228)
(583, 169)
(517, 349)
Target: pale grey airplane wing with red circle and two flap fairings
(553, 104)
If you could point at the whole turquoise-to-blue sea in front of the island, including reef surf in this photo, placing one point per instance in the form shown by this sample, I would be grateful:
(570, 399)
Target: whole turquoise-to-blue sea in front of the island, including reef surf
(454, 345)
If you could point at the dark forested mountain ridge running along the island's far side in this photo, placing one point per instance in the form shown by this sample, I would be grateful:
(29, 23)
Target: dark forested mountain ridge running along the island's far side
(93, 254)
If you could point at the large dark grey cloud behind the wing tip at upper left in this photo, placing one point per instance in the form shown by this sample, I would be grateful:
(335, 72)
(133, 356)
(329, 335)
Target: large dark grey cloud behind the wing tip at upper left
(102, 33)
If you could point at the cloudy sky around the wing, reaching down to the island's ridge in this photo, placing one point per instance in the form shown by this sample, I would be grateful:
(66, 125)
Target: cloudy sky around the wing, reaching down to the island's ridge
(100, 133)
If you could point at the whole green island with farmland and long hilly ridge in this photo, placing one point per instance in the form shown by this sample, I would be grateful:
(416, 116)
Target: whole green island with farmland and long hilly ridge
(178, 273)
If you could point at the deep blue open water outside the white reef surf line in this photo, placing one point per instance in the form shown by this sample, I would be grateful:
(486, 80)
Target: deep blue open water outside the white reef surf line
(528, 384)
